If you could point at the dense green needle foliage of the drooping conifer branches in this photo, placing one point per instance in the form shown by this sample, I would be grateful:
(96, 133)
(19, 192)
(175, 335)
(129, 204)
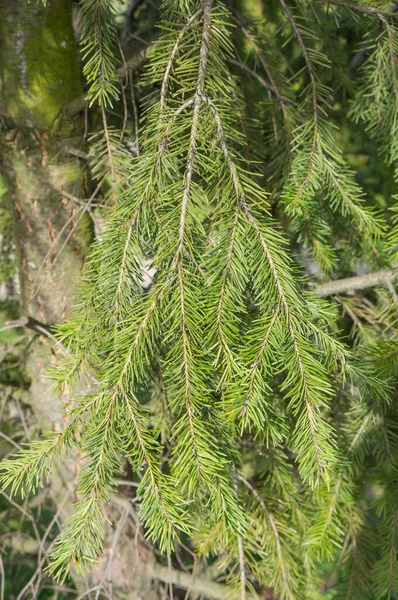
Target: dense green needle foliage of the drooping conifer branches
(257, 424)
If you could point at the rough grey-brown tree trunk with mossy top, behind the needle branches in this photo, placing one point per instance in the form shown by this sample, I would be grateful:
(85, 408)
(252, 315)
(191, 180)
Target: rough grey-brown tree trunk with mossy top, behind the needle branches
(39, 75)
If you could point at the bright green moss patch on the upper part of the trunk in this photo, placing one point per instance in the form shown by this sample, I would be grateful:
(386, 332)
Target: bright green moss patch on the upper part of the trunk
(39, 72)
